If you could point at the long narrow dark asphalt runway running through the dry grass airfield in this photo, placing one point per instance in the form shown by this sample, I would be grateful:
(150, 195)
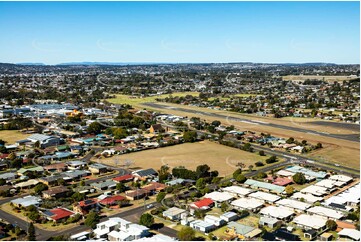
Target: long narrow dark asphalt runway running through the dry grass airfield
(349, 137)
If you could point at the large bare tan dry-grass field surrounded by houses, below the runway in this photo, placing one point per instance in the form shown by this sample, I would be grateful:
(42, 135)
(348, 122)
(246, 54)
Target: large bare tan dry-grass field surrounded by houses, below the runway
(219, 157)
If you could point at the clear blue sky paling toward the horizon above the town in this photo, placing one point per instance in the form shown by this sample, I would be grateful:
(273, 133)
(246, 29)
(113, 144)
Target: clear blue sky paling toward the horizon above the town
(180, 32)
